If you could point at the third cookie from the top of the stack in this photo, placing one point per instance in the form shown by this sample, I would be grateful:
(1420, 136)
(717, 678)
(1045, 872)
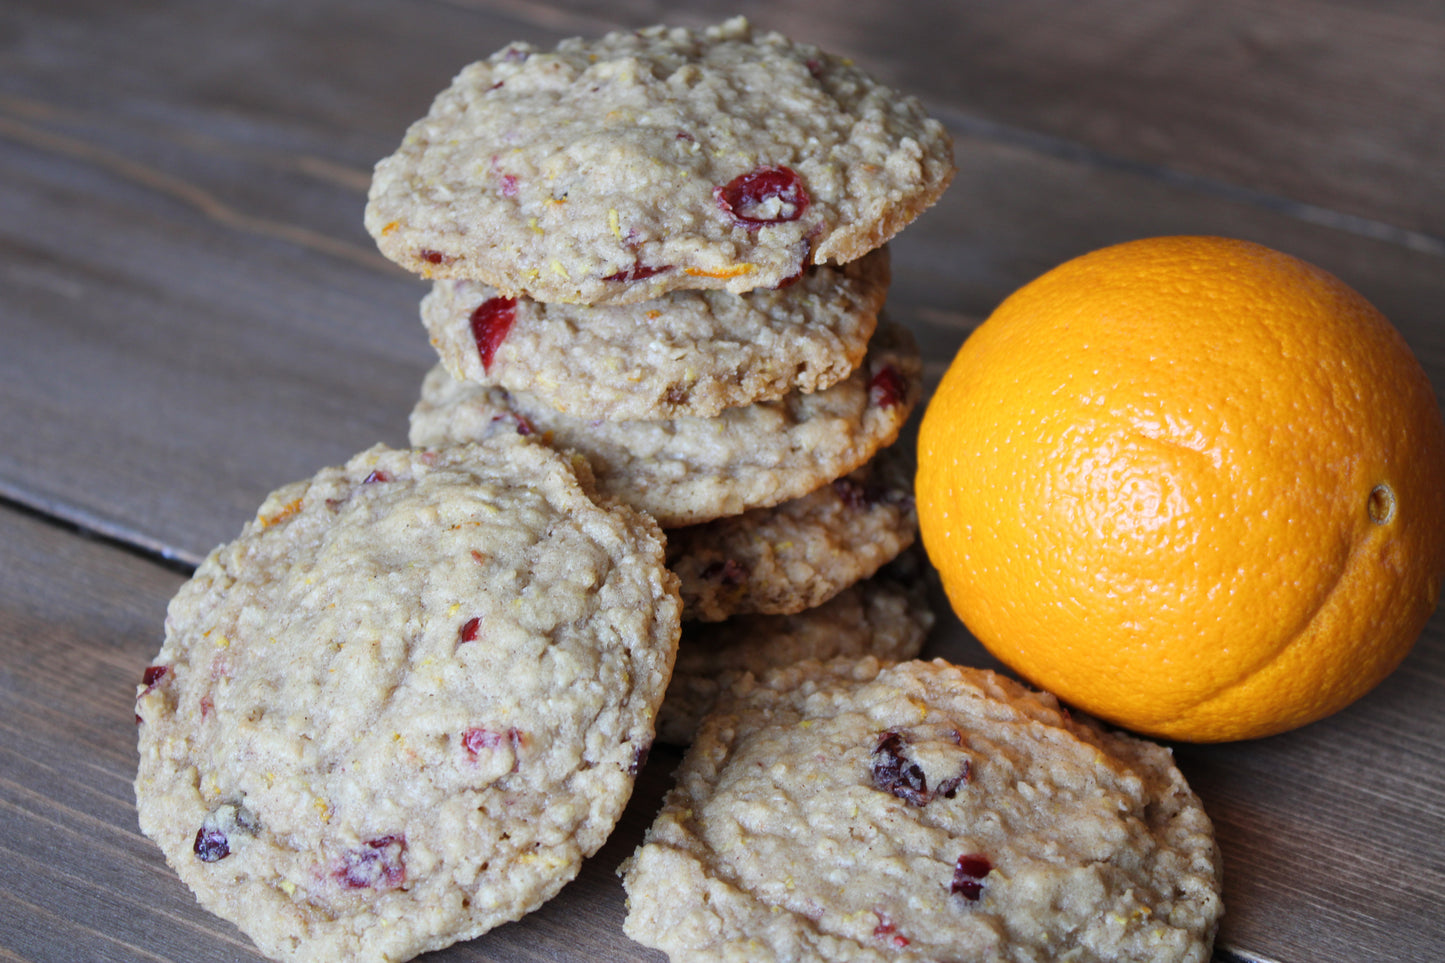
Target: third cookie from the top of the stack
(689, 471)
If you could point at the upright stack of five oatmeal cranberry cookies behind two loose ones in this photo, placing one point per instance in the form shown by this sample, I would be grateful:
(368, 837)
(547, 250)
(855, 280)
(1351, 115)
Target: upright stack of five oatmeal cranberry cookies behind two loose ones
(665, 251)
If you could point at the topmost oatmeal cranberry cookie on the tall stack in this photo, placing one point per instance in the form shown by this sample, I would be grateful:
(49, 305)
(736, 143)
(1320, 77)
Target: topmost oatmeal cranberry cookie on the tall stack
(616, 170)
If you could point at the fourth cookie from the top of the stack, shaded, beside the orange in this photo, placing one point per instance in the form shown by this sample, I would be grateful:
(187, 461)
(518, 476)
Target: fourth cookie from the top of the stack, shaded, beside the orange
(798, 555)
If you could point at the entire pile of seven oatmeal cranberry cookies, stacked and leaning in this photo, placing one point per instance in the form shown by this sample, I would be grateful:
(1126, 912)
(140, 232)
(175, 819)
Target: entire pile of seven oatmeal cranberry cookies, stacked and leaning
(414, 695)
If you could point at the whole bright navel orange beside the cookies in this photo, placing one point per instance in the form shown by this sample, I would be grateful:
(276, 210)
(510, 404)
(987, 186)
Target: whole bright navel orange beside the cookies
(1190, 485)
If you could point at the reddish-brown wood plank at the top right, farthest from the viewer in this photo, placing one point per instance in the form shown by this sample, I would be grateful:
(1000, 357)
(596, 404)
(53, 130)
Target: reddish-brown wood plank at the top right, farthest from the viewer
(1333, 105)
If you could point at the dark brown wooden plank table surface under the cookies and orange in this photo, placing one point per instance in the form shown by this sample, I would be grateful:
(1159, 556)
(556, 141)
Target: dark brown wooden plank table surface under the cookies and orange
(191, 316)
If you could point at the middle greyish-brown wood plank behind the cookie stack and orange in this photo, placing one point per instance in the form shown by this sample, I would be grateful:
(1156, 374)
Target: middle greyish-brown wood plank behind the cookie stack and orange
(196, 314)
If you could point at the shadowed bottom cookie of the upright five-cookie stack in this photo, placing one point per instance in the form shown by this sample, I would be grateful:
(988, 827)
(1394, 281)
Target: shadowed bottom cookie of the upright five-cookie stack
(887, 617)
